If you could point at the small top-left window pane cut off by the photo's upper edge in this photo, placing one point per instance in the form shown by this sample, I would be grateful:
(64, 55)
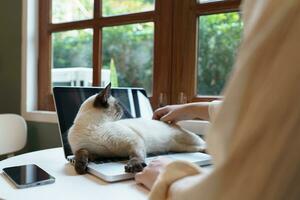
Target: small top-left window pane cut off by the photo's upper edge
(66, 10)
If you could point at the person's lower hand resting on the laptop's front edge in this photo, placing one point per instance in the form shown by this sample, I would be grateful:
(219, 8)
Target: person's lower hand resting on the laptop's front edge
(150, 173)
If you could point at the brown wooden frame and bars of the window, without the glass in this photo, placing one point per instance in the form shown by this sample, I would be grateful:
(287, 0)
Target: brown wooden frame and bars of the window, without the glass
(175, 46)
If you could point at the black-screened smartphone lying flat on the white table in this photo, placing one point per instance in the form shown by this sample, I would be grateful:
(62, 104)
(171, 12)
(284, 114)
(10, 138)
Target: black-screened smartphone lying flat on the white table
(25, 176)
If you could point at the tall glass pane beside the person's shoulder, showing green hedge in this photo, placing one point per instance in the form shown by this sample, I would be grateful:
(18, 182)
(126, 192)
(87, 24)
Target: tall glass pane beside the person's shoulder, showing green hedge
(219, 37)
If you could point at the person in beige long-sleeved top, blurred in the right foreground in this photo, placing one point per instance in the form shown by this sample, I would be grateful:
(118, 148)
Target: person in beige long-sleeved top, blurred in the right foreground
(255, 136)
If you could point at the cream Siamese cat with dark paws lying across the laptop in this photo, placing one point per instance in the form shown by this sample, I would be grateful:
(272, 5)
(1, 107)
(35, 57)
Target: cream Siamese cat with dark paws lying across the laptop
(99, 131)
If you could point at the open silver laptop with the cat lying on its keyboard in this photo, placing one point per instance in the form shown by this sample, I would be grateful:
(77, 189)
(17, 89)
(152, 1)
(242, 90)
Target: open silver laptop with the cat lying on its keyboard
(135, 104)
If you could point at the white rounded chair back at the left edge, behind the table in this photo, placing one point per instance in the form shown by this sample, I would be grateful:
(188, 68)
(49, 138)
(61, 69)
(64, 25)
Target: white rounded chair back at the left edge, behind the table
(13, 133)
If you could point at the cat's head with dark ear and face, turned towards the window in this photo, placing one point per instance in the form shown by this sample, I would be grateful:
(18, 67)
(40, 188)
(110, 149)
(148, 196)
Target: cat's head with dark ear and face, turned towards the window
(102, 106)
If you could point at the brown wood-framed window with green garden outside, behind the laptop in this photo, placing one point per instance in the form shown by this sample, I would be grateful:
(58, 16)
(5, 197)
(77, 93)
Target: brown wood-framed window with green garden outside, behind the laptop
(178, 50)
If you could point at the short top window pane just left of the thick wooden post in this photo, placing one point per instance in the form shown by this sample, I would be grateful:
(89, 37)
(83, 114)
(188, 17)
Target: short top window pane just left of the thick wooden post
(121, 7)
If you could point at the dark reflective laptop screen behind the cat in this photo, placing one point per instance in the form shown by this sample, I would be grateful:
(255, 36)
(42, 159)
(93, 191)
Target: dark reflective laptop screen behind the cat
(68, 100)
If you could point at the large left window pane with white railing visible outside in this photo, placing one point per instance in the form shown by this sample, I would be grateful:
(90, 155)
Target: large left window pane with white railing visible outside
(72, 58)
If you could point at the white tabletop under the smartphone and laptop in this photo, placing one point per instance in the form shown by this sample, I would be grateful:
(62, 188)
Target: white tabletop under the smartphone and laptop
(68, 185)
